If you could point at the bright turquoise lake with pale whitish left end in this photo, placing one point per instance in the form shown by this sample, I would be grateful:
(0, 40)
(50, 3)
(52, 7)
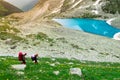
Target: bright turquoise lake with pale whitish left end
(98, 27)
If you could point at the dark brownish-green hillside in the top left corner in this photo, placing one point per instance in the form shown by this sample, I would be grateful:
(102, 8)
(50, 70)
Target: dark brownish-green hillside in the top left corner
(6, 8)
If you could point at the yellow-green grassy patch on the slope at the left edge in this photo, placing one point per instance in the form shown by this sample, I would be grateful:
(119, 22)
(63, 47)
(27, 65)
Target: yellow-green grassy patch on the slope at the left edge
(9, 32)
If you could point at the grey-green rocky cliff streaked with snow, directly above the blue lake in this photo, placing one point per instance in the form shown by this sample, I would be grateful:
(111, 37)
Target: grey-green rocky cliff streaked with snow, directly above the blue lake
(91, 8)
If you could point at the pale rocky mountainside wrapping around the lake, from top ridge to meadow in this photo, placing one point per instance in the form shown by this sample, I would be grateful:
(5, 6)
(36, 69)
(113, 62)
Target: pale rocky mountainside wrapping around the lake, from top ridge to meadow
(38, 33)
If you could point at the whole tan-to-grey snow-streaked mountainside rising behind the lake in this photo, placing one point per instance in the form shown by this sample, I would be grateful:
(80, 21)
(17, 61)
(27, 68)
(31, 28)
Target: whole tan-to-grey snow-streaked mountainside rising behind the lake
(101, 9)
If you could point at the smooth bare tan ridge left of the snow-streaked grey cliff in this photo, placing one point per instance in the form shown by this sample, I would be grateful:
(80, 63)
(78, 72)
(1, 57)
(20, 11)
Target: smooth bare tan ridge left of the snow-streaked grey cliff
(42, 9)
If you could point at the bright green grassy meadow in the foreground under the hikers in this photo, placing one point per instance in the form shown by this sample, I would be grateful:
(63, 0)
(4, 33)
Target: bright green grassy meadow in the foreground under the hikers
(44, 71)
